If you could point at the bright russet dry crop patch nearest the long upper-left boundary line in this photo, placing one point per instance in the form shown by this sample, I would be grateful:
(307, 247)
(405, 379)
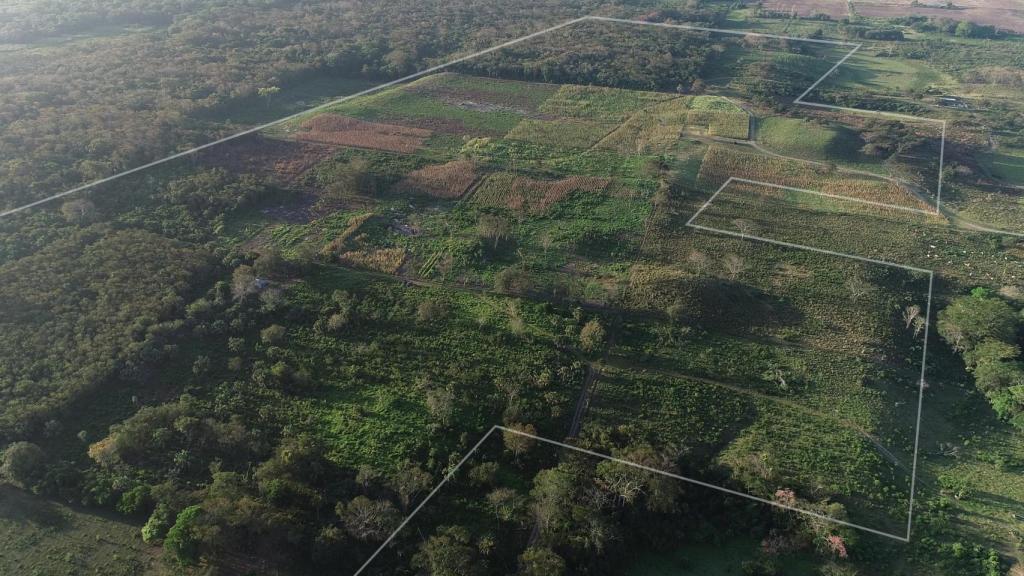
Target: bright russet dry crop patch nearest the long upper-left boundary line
(343, 131)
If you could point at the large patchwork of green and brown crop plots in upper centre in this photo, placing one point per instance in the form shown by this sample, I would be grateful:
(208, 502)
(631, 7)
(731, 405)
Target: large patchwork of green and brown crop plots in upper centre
(548, 197)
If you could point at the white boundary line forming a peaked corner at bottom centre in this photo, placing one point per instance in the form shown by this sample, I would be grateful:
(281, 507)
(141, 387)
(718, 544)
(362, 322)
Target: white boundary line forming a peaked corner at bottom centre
(451, 474)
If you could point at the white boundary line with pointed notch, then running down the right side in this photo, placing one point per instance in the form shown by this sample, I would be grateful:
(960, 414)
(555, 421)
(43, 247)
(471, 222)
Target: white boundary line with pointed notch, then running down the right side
(928, 307)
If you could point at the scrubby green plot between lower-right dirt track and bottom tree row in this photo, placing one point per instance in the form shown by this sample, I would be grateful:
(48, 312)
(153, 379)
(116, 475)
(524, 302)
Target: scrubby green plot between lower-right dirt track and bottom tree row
(762, 442)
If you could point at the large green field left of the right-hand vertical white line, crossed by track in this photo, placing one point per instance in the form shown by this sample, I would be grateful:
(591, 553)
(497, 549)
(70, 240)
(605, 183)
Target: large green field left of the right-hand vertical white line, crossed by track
(770, 351)
